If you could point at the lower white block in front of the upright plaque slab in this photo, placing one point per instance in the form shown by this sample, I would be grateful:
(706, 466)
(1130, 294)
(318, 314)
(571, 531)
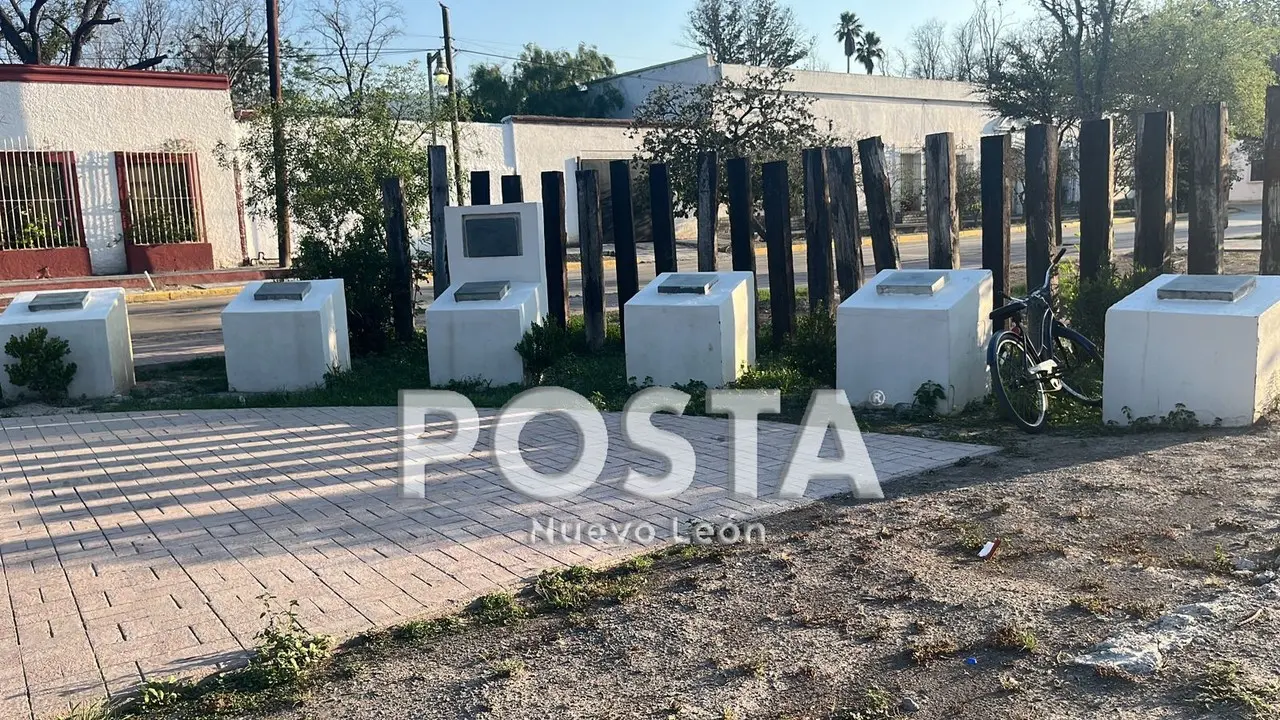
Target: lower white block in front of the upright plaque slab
(476, 340)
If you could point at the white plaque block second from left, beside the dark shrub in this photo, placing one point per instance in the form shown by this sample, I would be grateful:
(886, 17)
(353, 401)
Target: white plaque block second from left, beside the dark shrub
(282, 336)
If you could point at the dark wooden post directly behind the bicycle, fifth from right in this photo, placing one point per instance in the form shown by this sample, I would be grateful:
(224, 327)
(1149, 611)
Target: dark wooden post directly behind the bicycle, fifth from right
(1041, 199)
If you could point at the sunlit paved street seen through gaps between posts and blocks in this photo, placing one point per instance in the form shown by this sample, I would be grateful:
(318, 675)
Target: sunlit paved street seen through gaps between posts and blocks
(188, 329)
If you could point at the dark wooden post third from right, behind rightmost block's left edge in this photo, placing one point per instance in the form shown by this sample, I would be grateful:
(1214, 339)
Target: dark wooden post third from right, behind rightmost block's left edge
(1154, 207)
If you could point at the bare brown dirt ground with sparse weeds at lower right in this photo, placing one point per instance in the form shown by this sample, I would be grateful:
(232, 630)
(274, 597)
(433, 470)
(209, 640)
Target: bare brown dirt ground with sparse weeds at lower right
(877, 610)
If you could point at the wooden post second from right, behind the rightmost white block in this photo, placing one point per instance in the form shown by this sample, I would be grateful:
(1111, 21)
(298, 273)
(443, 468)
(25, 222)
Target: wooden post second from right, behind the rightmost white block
(1212, 165)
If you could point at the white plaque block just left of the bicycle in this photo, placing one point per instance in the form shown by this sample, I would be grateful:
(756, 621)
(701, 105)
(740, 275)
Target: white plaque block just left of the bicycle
(907, 329)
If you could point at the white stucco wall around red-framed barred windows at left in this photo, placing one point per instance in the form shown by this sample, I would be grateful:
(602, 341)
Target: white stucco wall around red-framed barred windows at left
(95, 121)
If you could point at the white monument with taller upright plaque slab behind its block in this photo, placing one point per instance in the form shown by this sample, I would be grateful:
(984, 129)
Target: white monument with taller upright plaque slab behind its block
(497, 291)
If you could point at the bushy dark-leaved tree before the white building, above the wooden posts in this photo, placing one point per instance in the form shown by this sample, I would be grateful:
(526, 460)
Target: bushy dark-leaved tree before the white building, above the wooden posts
(755, 117)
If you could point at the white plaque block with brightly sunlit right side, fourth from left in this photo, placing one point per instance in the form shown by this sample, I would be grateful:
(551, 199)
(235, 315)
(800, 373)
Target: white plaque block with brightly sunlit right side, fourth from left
(692, 327)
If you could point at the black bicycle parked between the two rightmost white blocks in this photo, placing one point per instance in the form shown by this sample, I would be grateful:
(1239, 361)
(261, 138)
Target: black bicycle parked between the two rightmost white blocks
(1025, 373)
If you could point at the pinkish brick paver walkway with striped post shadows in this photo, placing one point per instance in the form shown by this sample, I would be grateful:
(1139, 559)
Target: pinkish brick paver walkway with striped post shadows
(139, 544)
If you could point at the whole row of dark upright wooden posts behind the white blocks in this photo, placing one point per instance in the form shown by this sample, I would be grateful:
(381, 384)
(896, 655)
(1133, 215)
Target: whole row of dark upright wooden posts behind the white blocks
(834, 252)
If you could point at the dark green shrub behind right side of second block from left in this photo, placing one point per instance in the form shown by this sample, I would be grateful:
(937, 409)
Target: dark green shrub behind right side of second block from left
(360, 259)
